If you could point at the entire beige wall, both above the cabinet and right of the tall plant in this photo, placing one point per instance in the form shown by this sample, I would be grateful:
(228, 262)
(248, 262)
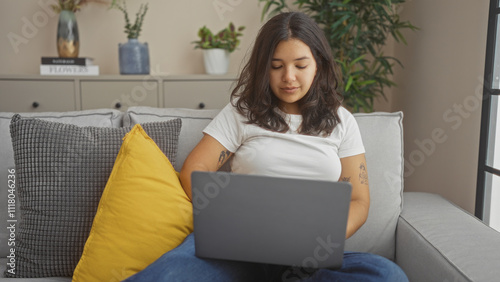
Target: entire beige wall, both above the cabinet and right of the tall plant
(443, 61)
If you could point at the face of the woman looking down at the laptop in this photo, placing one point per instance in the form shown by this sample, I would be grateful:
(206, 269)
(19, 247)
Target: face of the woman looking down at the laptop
(293, 69)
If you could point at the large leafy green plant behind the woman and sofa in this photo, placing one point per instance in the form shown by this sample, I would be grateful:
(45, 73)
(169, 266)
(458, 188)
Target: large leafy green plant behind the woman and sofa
(357, 32)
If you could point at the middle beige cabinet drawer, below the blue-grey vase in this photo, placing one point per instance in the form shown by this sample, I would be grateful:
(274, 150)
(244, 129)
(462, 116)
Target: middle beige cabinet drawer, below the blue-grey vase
(119, 94)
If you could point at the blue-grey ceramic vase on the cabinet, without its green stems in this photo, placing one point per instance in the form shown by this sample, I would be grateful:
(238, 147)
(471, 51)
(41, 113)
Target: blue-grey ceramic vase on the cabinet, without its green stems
(133, 57)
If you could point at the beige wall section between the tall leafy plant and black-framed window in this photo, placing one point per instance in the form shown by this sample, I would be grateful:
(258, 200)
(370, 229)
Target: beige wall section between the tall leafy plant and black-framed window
(444, 66)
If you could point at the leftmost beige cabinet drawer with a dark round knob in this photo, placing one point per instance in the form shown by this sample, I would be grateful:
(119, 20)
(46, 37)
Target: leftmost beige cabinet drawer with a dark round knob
(37, 96)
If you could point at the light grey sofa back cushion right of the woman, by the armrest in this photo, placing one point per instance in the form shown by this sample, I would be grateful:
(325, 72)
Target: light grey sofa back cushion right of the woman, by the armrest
(382, 135)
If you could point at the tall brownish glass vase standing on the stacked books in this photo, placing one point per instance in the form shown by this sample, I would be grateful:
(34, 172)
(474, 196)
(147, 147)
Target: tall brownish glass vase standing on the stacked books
(68, 42)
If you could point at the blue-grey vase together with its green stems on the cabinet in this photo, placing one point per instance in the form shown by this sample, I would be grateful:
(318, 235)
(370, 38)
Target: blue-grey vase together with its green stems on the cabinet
(133, 55)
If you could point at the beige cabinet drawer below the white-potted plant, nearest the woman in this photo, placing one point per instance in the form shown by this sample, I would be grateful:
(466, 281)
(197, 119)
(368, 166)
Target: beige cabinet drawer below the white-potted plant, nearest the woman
(197, 94)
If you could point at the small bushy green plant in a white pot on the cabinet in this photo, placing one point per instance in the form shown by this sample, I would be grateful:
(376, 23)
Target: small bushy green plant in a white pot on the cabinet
(217, 47)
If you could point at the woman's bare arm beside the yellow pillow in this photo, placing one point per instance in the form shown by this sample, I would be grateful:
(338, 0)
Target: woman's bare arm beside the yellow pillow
(208, 155)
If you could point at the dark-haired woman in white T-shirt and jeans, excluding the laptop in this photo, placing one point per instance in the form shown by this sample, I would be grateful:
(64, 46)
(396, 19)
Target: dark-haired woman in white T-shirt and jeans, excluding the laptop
(285, 120)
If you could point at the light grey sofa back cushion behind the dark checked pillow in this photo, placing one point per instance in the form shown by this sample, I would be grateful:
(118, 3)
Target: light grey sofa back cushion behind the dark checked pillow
(101, 118)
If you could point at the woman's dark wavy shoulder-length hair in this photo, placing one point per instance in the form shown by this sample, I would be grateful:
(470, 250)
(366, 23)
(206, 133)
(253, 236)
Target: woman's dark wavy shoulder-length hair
(253, 96)
